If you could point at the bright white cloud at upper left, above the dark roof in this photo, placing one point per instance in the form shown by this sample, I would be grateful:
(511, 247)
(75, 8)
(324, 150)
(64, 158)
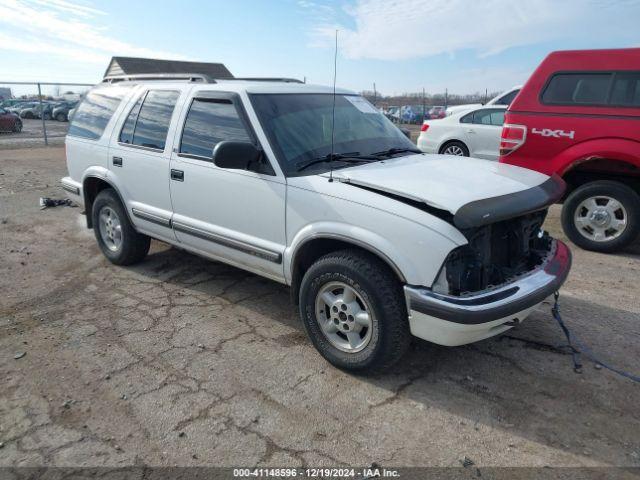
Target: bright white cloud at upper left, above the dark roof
(65, 29)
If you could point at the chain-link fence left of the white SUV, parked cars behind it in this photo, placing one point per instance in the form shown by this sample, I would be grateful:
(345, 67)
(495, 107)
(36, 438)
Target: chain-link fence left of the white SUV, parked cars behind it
(37, 113)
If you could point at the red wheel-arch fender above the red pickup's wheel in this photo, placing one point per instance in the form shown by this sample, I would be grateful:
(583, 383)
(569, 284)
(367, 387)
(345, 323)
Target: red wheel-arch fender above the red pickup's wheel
(602, 148)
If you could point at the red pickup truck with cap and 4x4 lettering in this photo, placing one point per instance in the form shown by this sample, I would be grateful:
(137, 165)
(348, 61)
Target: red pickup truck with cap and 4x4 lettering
(579, 116)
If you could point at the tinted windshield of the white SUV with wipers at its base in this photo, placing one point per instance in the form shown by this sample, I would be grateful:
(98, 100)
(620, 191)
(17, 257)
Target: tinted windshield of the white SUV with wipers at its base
(299, 129)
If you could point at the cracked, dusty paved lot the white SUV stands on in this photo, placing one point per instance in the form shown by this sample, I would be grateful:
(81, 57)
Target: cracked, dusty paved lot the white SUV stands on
(183, 361)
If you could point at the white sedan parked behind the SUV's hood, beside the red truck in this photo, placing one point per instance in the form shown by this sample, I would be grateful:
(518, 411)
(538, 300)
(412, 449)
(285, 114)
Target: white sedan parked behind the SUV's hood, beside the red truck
(474, 133)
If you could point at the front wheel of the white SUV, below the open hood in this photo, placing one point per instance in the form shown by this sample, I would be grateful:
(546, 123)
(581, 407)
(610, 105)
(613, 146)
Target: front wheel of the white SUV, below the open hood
(353, 310)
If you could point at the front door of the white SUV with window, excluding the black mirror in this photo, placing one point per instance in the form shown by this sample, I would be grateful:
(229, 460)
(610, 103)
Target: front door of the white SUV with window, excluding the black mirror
(237, 216)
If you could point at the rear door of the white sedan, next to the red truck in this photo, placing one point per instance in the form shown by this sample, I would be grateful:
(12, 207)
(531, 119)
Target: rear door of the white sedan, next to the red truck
(484, 133)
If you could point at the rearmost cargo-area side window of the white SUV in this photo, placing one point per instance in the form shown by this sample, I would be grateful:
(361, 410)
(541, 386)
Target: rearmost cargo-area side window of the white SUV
(94, 112)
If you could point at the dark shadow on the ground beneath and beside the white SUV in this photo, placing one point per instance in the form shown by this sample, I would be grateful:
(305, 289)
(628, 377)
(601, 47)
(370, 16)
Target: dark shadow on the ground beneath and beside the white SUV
(521, 383)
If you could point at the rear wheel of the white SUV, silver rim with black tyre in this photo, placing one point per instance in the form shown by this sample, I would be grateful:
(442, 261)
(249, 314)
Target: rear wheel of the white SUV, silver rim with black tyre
(116, 237)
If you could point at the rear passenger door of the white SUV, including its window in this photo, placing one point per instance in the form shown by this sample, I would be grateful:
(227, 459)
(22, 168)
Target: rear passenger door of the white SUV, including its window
(139, 157)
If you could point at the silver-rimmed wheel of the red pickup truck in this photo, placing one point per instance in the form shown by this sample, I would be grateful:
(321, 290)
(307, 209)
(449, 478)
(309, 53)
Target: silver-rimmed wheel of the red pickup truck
(602, 216)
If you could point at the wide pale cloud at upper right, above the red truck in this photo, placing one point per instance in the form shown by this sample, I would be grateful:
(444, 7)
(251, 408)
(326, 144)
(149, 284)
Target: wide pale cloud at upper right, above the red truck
(402, 29)
